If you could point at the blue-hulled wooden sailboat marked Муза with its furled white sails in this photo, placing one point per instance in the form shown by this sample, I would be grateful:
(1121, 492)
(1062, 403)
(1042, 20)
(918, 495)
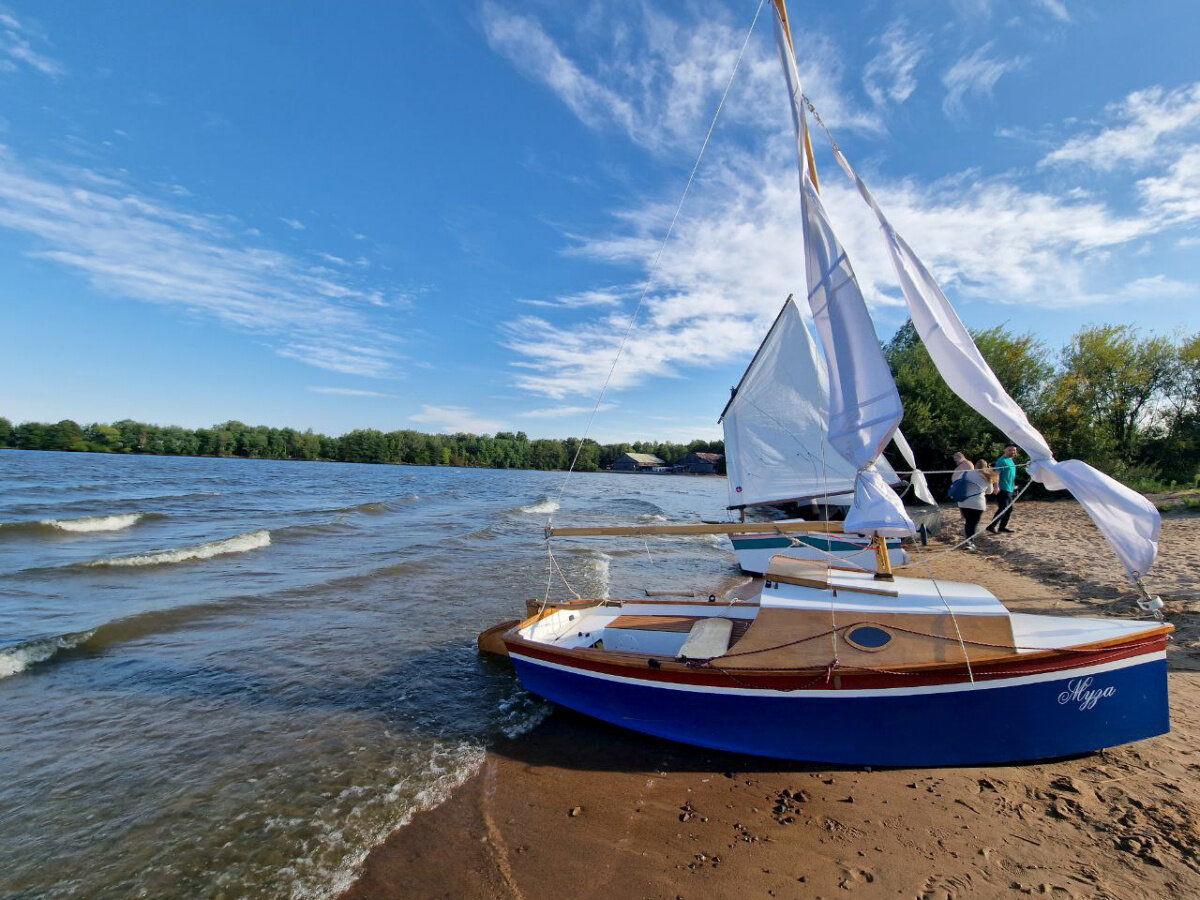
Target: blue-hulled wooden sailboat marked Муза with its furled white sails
(823, 664)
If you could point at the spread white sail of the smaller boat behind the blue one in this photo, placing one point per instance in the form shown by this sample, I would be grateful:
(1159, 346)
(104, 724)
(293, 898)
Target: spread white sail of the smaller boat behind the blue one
(777, 423)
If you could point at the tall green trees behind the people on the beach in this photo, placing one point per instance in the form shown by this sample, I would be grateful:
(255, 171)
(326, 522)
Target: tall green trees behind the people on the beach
(1126, 403)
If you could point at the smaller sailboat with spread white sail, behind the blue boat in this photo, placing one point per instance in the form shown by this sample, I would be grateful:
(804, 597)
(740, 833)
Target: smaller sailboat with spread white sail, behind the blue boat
(778, 453)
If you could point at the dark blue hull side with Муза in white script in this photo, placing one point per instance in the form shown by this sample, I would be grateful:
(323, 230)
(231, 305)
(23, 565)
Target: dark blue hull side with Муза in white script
(1021, 719)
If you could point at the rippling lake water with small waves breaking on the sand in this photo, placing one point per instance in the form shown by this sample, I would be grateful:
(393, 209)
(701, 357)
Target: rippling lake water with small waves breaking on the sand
(233, 677)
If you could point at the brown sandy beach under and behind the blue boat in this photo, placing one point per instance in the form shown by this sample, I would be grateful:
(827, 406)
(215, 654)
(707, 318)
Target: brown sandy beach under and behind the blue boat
(581, 809)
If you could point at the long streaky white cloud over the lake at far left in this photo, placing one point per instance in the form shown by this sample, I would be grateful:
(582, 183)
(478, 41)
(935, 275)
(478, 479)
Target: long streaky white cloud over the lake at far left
(139, 247)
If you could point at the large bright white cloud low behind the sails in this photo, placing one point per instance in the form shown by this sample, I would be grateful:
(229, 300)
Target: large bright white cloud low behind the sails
(739, 255)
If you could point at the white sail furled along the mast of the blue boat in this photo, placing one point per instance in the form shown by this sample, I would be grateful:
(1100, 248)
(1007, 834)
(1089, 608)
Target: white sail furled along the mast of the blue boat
(865, 405)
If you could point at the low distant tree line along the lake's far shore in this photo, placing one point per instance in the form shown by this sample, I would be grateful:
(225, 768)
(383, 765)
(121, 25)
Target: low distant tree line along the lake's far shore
(505, 451)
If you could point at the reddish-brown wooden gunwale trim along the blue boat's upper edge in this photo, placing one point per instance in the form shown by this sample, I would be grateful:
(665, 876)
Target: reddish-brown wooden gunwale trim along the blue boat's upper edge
(913, 675)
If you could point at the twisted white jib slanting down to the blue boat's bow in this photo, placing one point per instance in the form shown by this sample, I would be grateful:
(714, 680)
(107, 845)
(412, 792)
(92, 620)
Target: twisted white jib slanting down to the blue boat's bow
(1129, 521)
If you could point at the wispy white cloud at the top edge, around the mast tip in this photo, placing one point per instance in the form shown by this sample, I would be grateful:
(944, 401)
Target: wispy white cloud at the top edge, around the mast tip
(661, 81)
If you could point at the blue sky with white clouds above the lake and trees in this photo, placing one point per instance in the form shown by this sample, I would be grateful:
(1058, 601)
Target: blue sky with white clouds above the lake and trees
(441, 215)
